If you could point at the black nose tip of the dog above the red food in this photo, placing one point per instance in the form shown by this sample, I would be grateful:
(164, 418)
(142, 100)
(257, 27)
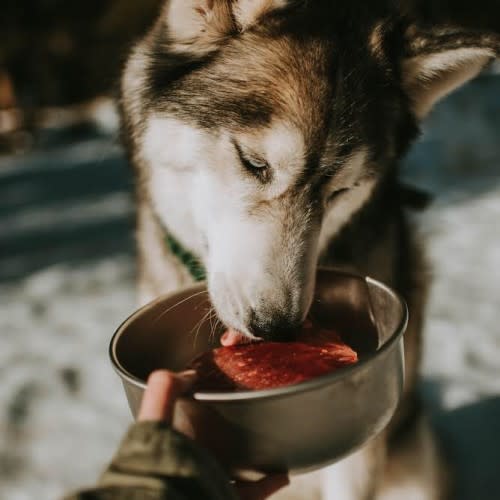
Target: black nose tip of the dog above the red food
(277, 327)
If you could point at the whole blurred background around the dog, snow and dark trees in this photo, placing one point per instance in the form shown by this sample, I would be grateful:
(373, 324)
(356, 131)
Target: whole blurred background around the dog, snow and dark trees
(67, 265)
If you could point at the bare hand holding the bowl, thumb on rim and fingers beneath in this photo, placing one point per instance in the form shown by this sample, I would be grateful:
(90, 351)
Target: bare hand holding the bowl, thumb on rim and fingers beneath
(158, 402)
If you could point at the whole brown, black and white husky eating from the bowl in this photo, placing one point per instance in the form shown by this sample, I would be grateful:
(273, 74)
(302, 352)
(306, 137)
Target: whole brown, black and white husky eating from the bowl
(266, 136)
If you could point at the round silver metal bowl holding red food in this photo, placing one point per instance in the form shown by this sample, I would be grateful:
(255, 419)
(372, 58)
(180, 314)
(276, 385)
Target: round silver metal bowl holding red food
(296, 428)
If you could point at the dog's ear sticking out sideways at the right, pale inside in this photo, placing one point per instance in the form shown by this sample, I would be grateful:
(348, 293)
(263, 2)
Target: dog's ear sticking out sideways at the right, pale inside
(438, 60)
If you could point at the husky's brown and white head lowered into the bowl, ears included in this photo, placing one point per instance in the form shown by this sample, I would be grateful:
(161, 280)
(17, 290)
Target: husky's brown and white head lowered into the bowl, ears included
(262, 126)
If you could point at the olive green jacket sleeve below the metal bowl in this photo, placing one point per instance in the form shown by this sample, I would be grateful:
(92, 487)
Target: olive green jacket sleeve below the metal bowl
(156, 462)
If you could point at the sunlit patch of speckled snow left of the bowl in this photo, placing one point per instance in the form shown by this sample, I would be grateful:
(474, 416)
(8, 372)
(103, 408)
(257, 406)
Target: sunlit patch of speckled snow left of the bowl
(63, 409)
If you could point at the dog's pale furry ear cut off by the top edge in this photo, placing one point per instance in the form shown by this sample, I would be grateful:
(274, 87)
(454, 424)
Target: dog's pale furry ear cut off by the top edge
(200, 26)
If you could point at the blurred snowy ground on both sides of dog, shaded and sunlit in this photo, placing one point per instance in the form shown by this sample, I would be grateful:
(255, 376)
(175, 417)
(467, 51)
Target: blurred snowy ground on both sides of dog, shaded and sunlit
(67, 280)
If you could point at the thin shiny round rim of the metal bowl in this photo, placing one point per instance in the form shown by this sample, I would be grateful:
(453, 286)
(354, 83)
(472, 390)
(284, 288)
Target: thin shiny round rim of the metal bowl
(317, 382)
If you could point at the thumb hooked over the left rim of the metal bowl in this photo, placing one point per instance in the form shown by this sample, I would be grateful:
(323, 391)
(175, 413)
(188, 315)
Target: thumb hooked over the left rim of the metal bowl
(163, 388)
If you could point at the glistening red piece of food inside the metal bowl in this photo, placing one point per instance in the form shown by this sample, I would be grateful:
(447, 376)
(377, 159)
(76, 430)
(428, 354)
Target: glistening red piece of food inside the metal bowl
(266, 365)
